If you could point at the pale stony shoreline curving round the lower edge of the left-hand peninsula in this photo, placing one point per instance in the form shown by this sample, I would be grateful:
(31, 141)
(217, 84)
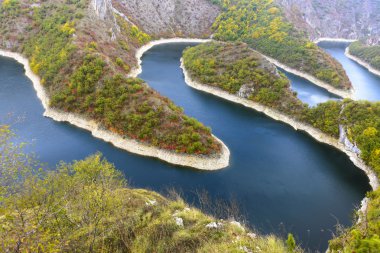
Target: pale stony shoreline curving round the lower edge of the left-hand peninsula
(133, 146)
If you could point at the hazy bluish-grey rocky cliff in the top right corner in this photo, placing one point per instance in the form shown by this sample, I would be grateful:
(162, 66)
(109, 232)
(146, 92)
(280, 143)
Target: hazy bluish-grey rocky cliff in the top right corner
(350, 19)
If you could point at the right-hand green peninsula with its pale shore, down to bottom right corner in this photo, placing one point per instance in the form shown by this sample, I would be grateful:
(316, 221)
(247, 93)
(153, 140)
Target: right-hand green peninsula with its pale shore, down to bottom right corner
(235, 73)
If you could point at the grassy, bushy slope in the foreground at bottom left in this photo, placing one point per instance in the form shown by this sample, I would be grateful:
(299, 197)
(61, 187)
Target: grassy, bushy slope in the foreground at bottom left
(87, 206)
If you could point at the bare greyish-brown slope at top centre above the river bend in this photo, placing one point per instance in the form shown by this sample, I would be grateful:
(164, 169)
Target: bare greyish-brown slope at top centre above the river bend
(170, 18)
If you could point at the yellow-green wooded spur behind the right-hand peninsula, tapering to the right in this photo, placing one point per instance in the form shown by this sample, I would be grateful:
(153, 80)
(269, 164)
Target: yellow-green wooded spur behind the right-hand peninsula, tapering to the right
(261, 24)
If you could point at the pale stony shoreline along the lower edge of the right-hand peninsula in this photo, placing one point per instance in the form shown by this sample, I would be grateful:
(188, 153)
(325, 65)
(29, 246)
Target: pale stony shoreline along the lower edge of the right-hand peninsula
(315, 133)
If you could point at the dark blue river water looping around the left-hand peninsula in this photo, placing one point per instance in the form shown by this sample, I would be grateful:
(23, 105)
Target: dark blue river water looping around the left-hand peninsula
(283, 180)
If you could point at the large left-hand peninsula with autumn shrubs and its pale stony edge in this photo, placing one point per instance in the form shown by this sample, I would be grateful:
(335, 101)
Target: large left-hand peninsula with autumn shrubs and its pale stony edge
(83, 73)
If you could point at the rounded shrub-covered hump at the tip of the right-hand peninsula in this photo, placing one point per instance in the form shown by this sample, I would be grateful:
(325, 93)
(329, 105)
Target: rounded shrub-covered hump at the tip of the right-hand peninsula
(237, 69)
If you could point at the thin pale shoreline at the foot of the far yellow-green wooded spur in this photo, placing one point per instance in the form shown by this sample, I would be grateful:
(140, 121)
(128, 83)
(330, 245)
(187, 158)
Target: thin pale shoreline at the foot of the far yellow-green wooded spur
(314, 80)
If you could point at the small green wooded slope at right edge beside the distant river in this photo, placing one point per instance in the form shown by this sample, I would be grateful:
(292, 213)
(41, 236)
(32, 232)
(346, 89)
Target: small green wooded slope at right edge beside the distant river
(370, 54)
